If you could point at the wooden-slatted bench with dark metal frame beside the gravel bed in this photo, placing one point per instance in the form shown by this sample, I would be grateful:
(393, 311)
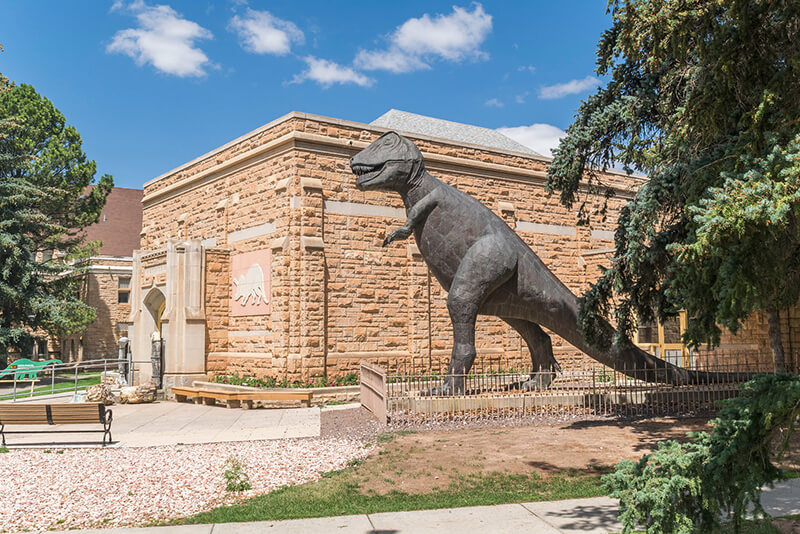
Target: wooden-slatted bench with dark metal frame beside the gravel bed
(55, 414)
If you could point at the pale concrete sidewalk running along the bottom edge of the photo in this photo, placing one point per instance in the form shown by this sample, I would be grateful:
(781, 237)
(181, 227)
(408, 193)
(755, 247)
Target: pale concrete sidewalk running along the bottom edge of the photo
(579, 516)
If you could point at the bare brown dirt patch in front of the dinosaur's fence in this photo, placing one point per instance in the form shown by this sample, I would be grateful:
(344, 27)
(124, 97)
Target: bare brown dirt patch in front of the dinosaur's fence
(418, 462)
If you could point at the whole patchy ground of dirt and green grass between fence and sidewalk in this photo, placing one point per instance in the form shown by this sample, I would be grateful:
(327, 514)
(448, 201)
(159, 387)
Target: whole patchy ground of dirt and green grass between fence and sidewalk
(439, 469)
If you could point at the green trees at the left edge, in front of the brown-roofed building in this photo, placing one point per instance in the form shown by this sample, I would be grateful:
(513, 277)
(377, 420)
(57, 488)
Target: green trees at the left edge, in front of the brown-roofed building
(45, 202)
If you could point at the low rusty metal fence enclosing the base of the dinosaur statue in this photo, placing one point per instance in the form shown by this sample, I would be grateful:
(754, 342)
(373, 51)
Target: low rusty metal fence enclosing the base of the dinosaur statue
(492, 390)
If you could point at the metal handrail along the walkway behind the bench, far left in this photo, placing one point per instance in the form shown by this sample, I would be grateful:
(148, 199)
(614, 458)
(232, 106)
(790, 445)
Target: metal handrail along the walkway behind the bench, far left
(62, 378)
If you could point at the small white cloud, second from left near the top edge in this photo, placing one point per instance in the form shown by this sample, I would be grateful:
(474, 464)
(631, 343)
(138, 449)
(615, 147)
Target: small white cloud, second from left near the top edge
(261, 33)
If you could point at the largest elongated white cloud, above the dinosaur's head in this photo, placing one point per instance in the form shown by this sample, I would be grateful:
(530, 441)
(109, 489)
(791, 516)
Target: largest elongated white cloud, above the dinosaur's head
(453, 37)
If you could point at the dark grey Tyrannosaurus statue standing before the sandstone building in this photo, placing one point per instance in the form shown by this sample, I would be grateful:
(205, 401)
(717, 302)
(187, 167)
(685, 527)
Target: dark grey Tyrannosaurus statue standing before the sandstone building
(488, 269)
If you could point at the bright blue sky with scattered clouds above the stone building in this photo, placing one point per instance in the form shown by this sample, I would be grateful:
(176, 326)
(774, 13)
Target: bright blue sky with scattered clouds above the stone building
(152, 85)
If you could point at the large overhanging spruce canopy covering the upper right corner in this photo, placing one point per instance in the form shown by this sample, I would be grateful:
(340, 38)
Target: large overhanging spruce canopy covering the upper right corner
(703, 98)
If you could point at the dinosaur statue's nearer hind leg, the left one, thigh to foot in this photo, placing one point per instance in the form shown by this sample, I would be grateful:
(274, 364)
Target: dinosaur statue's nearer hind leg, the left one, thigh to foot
(485, 267)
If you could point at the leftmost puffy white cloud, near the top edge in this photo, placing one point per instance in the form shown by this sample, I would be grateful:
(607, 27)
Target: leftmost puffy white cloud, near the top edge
(164, 39)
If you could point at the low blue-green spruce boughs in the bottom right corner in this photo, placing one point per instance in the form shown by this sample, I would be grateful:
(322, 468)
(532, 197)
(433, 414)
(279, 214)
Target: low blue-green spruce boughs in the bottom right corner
(685, 488)
